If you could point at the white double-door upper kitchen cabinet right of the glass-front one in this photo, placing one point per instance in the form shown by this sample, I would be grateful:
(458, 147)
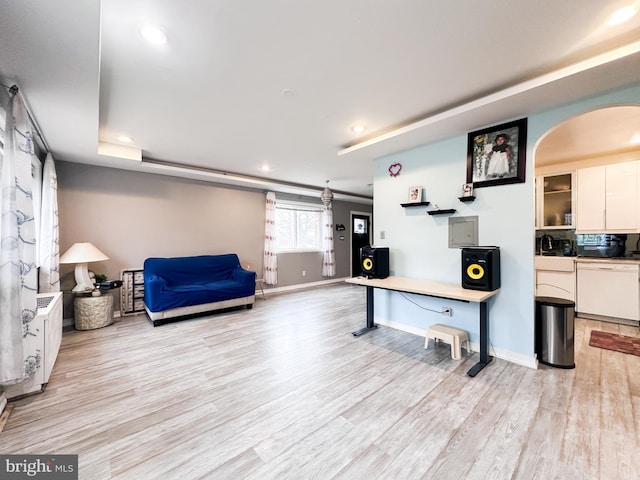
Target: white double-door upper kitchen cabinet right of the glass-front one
(607, 198)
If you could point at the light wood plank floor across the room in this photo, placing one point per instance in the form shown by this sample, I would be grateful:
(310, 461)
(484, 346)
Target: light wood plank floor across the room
(285, 391)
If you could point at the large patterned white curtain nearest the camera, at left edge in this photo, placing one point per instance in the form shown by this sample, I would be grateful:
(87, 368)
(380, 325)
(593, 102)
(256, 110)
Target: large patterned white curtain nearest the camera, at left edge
(19, 356)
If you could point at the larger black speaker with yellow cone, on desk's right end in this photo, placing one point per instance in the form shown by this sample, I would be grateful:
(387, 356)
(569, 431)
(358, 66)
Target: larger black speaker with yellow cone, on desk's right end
(481, 268)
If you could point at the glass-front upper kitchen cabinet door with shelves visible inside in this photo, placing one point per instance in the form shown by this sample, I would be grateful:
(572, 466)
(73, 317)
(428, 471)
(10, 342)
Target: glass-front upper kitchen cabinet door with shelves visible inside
(555, 201)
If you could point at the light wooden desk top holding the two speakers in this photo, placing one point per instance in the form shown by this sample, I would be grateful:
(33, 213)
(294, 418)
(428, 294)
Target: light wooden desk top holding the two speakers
(424, 287)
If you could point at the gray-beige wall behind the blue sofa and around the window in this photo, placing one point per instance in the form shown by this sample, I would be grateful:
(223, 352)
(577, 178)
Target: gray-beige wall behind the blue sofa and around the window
(131, 216)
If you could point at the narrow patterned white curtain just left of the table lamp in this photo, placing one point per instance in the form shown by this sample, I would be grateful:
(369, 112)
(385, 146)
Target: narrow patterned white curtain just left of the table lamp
(48, 242)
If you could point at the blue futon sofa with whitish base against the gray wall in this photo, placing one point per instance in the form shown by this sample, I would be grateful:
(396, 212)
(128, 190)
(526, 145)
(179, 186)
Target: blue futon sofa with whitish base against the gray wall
(185, 286)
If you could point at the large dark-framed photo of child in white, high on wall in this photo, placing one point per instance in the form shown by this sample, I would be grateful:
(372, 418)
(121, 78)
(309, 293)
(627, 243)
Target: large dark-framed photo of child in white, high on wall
(497, 155)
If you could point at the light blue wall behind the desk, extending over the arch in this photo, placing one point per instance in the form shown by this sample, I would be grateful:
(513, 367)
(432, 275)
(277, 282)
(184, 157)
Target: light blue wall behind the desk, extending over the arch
(418, 243)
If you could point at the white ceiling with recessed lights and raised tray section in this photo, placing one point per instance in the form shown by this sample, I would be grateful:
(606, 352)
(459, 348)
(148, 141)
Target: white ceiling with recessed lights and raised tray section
(245, 83)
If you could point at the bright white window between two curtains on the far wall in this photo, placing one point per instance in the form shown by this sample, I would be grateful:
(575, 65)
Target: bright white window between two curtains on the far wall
(298, 227)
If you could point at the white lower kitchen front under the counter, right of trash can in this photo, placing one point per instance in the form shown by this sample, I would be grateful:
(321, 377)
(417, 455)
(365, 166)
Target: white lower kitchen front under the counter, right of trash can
(609, 290)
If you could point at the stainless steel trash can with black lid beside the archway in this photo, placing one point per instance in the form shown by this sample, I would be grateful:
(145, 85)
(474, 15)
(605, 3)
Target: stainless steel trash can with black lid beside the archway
(555, 331)
